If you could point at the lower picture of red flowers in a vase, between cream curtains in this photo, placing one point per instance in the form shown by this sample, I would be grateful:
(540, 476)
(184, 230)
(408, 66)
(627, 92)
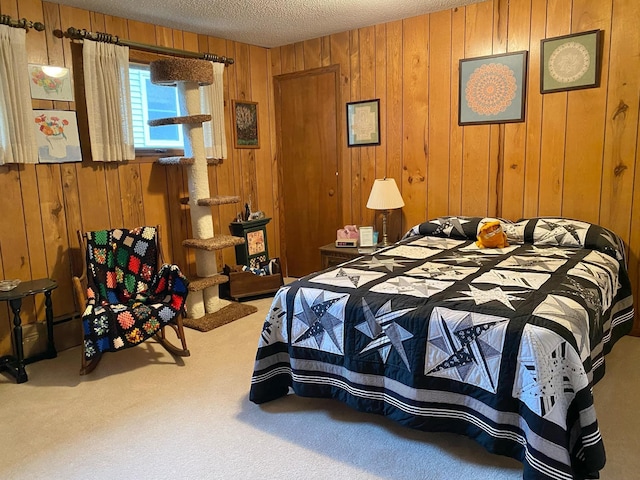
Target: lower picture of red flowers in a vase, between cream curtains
(57, 136)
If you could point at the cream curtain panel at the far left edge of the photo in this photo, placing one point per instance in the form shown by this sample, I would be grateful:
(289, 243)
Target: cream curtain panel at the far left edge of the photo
(17, 137)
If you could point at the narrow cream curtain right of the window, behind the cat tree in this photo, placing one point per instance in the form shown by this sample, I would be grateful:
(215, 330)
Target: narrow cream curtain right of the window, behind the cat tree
(212, 100)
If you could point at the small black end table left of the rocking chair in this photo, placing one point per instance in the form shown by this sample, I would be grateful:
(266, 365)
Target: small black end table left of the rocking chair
(15, 364)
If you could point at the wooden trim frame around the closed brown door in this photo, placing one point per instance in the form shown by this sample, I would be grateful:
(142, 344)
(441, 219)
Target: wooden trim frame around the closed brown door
(277, 92)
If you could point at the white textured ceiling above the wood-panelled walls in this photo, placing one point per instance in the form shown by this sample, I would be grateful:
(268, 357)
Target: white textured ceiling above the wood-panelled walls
(266, 23)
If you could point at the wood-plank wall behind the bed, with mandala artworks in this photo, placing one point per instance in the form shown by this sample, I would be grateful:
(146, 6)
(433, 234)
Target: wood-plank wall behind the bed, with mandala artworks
(576, 155)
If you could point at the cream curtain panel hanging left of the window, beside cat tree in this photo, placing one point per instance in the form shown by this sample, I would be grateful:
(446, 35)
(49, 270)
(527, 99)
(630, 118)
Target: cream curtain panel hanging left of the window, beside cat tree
(106, 81)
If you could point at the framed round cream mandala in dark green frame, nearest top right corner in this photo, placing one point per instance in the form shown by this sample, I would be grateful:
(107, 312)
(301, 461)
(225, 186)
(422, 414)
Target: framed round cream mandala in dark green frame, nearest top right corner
(571, 62)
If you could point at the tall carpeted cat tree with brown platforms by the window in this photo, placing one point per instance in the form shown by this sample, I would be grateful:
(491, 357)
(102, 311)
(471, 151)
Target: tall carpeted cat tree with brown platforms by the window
(205, 308)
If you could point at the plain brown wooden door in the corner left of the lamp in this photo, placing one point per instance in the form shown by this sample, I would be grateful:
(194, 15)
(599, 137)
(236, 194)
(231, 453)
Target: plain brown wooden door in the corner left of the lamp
(307, 130)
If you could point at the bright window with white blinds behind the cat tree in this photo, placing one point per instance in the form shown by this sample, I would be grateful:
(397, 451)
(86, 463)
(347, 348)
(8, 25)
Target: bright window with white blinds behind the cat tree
(148, 102)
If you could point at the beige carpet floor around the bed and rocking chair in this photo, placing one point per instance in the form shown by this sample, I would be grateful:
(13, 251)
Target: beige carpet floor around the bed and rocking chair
(143, 414)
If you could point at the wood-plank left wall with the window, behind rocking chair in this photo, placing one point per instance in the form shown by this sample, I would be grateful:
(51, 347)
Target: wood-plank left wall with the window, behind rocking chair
(42, 206)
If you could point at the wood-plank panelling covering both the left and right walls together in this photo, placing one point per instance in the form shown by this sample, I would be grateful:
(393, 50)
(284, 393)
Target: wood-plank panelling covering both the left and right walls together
(576, 154)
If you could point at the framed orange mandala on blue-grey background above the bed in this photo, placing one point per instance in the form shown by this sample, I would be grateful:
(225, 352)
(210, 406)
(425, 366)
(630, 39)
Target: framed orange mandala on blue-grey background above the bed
(492, 89)
